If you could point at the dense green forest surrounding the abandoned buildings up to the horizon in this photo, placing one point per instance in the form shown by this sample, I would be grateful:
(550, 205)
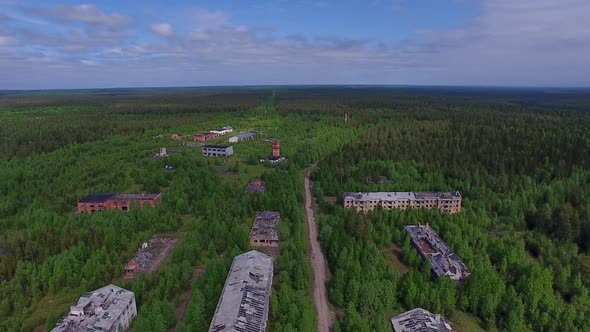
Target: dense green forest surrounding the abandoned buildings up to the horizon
(521, 159)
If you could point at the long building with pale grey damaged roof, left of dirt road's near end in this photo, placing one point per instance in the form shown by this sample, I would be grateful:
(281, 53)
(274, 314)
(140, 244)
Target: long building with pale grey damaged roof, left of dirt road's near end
(244, 301)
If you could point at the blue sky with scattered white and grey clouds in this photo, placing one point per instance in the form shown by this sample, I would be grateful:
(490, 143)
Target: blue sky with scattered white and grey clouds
(114, 43)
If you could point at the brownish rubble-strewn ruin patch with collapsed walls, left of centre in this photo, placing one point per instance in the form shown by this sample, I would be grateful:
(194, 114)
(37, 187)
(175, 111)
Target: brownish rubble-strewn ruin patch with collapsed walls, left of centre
(152, 254)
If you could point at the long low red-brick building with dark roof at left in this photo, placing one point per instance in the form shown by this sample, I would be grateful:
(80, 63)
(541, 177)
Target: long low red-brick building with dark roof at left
(121, 201)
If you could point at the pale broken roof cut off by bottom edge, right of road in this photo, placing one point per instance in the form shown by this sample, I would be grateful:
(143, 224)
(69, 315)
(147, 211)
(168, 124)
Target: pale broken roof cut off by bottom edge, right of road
(420, 320)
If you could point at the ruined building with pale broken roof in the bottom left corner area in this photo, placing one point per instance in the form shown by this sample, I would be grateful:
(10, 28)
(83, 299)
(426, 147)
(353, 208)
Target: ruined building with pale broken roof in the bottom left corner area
(108, 309)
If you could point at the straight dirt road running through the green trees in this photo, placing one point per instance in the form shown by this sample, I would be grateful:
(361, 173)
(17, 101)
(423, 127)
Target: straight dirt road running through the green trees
(318, 264)
